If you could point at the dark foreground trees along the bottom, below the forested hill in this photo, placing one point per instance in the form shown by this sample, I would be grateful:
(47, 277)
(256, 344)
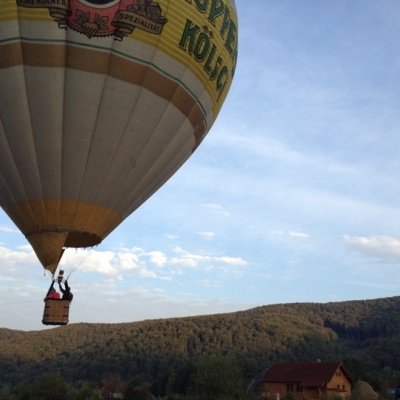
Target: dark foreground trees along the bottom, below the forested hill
(212, 378)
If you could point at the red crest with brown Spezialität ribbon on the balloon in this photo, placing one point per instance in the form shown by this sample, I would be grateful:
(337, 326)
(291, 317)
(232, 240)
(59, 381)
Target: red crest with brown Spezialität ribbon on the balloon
(99, 18)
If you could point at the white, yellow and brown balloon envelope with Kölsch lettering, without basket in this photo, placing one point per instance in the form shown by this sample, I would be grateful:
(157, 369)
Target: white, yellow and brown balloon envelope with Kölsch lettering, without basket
(101, 102)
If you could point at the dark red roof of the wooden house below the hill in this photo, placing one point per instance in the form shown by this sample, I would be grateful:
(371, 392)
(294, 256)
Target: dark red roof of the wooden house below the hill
(314, 374)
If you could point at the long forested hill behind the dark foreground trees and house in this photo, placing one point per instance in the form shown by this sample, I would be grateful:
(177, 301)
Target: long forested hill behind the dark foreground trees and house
(365, 331)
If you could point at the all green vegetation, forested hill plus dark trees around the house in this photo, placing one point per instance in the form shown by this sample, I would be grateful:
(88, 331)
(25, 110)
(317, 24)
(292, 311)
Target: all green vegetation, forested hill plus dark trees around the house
(173, 358)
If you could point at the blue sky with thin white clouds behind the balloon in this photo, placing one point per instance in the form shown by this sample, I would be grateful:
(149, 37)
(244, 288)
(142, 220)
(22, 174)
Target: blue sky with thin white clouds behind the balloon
(294, 195)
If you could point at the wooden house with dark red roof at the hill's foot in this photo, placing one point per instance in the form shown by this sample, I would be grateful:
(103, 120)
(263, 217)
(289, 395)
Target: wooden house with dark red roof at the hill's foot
(304, 381)
